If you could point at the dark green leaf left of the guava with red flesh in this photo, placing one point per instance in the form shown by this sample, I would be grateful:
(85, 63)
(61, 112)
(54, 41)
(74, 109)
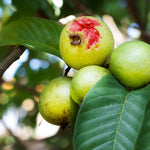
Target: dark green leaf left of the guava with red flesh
(33, 33)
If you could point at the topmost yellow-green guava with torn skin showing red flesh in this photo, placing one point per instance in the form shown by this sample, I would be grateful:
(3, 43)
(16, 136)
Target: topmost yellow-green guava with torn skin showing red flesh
(85, 41)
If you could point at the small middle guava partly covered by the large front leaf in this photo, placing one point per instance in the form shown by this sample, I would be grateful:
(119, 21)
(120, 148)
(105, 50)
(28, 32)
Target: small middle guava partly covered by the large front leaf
(84, 80)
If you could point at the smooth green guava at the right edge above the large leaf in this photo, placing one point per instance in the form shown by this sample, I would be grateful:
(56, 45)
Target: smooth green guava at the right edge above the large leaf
(130, 64)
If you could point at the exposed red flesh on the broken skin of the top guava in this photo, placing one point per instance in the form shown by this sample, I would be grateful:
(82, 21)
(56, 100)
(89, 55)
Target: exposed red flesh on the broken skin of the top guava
(87, 25)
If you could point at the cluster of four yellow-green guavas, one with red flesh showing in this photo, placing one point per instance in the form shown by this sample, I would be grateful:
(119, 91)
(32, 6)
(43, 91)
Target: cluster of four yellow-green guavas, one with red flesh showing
(86, 43)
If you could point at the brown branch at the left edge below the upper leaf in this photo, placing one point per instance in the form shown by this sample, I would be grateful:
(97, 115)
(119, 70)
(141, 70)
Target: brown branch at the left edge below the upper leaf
(15, 55)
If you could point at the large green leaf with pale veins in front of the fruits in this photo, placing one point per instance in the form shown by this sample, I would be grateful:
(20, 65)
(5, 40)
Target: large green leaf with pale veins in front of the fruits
(110, 117)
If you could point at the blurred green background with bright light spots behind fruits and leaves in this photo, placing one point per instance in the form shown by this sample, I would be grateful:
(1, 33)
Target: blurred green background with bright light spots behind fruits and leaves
(21, 126)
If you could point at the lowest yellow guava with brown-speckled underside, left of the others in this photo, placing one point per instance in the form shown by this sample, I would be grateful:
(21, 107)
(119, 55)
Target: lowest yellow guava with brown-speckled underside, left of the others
(55, 102)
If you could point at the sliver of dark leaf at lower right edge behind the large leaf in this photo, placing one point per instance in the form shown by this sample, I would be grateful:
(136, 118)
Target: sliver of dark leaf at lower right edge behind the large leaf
(143, 142)
